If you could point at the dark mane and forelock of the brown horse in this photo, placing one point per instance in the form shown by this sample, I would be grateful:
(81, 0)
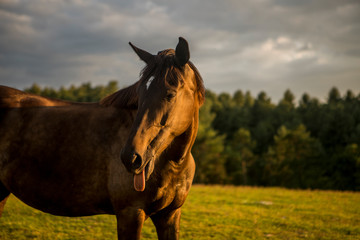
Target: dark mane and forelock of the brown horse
(163, 68)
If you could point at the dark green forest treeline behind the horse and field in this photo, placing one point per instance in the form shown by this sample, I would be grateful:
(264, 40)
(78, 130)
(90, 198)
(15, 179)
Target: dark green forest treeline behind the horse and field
(247, 140)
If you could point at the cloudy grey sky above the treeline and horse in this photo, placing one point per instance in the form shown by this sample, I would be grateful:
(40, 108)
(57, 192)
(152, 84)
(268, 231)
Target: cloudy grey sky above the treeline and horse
(256, 45)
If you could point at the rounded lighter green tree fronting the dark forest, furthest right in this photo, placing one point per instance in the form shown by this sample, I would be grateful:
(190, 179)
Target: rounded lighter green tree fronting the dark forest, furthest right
(292, 160)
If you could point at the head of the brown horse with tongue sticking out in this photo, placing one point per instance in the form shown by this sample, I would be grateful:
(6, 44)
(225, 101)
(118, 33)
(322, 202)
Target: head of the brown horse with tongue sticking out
(170, 92)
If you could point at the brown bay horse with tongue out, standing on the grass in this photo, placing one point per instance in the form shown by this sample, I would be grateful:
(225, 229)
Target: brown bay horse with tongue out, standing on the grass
(128, 155)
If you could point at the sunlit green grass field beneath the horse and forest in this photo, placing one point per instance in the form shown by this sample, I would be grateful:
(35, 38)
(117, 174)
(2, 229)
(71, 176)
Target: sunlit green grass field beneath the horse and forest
(212, 212)
